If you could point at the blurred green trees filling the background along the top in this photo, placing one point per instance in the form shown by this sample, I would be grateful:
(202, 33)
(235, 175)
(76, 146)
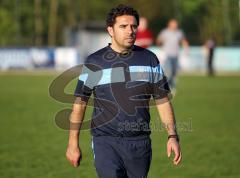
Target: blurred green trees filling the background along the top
(41, 23)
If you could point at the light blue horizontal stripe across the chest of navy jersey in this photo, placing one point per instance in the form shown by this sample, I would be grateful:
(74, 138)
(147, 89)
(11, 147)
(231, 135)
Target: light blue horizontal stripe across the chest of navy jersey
(113, 75)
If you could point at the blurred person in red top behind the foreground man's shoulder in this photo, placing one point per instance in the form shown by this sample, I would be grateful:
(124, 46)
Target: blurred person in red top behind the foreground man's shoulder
(144, 37)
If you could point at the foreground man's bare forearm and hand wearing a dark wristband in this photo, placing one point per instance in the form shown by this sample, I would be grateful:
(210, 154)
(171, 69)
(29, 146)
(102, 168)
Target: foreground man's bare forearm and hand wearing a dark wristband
(166, 113)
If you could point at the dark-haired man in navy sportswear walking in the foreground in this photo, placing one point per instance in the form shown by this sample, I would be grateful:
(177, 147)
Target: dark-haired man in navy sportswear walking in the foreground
(123, 78)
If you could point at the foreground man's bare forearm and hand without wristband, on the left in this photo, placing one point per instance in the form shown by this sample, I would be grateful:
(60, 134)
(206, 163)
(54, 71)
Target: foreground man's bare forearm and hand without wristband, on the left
(73, 152)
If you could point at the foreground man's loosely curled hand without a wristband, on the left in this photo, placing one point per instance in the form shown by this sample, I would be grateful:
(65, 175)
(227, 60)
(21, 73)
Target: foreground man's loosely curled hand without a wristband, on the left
(74, 155)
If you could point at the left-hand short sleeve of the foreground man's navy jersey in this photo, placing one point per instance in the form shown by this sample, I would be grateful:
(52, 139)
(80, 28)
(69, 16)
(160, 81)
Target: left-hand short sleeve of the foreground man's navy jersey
(85, 84)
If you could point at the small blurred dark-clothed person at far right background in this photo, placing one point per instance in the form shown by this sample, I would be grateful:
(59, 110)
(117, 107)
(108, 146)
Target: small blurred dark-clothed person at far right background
(210, 46)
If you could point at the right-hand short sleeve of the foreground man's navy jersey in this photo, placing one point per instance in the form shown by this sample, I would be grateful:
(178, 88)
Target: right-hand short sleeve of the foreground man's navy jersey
(160, 87)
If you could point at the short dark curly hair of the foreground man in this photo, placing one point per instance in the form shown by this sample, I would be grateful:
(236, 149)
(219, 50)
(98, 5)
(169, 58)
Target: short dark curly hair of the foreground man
(119, 11)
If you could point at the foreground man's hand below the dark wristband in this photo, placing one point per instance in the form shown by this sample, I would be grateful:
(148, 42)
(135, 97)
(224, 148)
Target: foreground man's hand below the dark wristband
(173, 145)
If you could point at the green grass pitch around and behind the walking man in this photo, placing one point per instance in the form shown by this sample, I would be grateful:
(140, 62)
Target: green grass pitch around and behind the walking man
(207, 112)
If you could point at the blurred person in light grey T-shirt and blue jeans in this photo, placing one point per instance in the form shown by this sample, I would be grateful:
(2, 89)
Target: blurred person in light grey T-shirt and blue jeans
(170, 38)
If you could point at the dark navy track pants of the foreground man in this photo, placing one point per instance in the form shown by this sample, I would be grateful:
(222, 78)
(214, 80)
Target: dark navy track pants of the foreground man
(122, 157)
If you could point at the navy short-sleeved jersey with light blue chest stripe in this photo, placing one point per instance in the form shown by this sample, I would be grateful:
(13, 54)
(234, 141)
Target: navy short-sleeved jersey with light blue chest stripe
(122, 85)
